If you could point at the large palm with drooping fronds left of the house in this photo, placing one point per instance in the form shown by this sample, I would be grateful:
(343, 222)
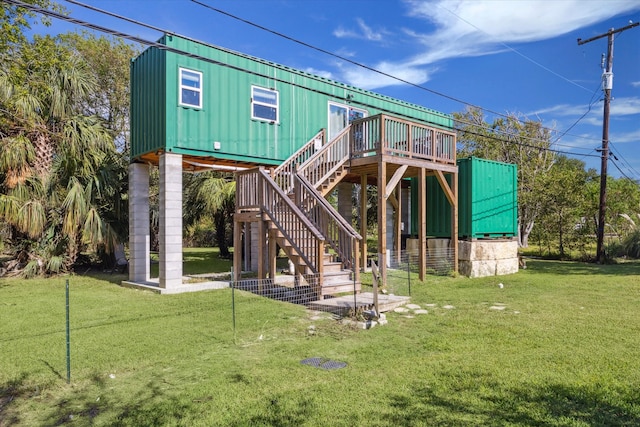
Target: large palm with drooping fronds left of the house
(58, 171)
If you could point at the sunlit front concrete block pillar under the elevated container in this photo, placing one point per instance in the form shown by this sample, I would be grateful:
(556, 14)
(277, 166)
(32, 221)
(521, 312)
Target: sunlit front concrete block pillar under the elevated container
(170, 235)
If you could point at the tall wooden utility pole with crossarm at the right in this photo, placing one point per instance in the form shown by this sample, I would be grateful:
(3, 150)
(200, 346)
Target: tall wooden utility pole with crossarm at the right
(607, 85)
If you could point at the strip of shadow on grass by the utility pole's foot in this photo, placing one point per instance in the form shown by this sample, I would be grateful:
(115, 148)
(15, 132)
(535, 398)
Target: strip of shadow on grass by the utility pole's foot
(581, 268)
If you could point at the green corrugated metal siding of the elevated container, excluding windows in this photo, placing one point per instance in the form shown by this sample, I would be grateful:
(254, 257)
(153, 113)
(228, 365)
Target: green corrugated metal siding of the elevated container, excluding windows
(226, 113)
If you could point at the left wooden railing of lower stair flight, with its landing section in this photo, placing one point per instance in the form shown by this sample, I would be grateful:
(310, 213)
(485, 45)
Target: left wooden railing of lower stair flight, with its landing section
(256, 189)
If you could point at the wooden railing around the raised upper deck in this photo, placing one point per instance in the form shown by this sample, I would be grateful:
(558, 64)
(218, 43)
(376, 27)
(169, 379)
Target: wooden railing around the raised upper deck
(397, 137)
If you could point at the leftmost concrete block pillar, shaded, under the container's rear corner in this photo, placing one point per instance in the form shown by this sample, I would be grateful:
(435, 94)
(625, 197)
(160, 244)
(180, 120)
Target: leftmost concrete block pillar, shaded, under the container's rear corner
(139, 232)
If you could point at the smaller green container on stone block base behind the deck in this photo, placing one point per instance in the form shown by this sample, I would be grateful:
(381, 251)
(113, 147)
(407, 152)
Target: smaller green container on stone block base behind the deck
(487, 201)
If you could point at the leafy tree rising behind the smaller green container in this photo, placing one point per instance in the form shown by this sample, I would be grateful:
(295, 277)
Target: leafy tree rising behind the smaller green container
(511, 140)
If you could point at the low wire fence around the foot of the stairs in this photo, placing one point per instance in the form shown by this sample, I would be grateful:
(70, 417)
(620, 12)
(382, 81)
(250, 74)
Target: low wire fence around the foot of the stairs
(336, 298)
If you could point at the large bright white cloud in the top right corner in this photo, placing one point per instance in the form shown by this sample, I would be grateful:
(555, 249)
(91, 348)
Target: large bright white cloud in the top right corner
(471, 28)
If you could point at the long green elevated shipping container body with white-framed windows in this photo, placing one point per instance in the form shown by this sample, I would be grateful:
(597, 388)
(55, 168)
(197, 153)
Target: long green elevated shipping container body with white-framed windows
(195, 99)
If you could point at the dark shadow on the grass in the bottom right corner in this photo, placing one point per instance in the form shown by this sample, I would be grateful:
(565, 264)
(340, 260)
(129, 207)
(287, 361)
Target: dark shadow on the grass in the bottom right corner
(548, 405)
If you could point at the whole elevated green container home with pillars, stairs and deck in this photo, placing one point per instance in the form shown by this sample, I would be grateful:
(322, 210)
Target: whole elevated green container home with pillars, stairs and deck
(291, 137)
